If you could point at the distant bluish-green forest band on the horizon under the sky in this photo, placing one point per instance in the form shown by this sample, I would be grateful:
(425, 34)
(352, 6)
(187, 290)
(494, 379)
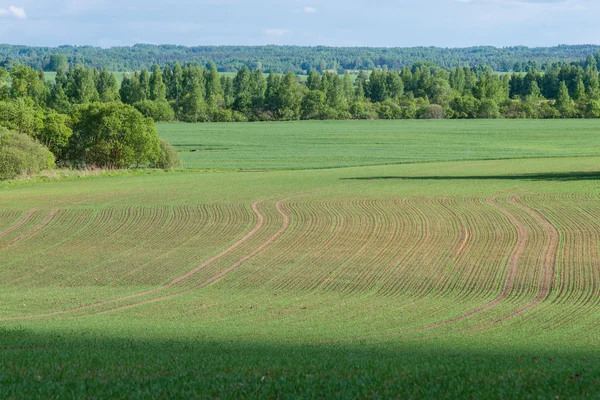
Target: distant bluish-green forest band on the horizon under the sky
(296, 59)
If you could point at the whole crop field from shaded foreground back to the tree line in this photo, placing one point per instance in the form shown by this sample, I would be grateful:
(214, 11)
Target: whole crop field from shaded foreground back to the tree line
(464, 268)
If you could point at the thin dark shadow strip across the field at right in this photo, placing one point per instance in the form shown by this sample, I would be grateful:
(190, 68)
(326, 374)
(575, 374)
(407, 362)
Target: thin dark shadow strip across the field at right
(544, 176)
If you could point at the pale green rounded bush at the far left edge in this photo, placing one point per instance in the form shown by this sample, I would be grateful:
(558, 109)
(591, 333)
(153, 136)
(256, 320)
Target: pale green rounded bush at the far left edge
(20, 154)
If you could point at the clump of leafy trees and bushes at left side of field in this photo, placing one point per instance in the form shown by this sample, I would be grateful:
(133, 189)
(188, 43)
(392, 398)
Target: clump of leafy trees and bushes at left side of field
(79, 120)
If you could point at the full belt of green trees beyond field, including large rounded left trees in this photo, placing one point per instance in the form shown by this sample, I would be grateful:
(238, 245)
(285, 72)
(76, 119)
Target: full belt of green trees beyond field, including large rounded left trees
(87, 118)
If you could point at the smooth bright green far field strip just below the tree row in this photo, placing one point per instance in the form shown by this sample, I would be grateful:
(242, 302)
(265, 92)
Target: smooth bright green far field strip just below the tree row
(333, 144)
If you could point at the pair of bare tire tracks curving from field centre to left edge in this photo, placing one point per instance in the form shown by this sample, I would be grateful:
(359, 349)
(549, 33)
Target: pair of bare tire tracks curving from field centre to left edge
(259, 224)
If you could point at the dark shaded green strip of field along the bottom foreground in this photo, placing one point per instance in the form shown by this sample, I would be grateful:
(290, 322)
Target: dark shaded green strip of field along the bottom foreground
(82, 364)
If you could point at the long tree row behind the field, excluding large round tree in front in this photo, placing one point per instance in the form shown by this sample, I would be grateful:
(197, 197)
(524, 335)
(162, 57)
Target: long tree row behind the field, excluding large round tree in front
(201, 94)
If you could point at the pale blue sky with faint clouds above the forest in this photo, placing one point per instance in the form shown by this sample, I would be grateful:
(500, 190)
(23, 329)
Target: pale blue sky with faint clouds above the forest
(380, 23)
